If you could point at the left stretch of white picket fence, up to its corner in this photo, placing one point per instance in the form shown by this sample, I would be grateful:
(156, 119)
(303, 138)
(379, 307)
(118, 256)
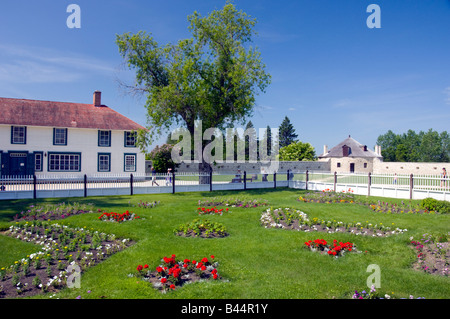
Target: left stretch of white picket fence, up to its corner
(51, 186)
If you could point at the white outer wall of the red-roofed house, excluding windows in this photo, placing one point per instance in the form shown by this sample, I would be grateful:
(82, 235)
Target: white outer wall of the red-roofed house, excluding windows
(84, 141)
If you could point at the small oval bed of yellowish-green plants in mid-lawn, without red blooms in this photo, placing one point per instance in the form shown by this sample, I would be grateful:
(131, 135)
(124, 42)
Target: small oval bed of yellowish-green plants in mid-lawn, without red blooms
(201, 228)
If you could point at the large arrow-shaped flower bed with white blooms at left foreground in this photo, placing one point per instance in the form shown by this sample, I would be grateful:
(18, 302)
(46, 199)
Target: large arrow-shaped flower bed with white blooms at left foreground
(46, 270)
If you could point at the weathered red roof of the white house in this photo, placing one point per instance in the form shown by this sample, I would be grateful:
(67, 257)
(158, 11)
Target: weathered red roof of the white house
(62, 114)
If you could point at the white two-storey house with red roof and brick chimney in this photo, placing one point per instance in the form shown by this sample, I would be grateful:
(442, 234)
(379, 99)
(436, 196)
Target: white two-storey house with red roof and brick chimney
(57, 138)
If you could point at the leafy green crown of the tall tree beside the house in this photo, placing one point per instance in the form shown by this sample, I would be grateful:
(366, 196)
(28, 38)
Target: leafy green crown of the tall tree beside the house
(213, 76)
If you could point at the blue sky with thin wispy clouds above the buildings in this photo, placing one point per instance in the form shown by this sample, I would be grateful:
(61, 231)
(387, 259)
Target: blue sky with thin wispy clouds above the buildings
(331, 74)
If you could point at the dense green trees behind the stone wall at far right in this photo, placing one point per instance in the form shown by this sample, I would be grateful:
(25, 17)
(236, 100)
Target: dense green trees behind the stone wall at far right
(429, 146)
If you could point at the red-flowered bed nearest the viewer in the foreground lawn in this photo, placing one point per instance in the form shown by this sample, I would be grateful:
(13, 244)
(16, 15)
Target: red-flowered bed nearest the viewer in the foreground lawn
(172, 273)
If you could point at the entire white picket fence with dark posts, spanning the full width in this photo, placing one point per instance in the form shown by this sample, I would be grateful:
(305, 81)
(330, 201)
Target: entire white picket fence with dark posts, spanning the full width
(383, 185)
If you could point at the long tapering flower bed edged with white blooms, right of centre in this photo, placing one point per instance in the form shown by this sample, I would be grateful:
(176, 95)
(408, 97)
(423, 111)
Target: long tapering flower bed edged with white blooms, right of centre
(289, 218)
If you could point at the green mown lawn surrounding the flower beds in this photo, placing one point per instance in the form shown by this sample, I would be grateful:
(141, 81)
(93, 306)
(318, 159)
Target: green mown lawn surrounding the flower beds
(257, 262)
